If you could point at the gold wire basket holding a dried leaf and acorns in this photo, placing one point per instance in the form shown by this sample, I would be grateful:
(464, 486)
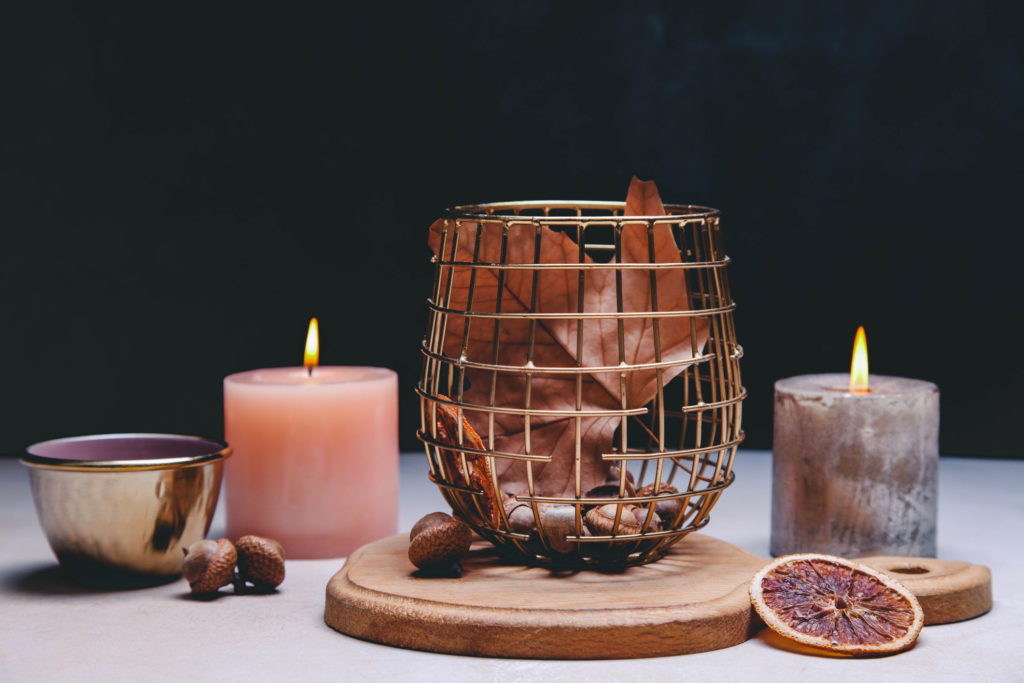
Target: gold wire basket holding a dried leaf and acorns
(581, 397)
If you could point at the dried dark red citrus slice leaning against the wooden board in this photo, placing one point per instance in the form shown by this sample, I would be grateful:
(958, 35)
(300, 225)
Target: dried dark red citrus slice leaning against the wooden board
(839, 606)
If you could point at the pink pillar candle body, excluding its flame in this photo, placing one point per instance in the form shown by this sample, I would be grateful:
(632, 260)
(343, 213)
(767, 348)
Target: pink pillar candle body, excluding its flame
(316, 461)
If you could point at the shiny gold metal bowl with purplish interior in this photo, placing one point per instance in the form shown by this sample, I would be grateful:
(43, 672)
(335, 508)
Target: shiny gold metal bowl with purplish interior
(118, 509)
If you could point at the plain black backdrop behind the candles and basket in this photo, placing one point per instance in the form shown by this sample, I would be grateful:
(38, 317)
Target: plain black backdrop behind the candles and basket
(186, 186)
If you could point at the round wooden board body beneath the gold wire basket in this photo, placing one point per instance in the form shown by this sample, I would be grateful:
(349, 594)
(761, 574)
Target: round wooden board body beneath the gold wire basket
(693, 601)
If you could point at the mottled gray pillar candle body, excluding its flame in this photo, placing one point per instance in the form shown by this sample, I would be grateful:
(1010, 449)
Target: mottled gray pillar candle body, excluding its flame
(855, 475)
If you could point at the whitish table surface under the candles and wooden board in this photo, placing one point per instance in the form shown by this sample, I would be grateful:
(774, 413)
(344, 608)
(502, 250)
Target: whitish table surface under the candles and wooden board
(54, 630)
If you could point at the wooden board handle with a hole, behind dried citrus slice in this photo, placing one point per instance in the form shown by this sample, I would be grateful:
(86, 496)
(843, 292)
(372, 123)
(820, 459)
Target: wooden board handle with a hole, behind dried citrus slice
(949, 591)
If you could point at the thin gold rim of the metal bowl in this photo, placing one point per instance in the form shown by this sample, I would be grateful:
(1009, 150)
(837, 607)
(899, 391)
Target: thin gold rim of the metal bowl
(64, 464)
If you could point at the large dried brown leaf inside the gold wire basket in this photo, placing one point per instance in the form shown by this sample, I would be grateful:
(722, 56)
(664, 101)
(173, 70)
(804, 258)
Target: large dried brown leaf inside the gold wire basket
(556, 340)
